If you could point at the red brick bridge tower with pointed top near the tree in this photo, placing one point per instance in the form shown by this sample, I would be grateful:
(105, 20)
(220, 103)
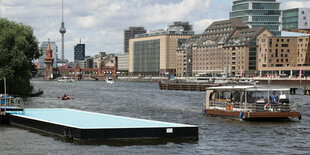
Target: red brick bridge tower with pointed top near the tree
(48, 60)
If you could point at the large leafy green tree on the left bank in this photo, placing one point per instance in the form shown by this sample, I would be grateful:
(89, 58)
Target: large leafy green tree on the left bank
(18, 48)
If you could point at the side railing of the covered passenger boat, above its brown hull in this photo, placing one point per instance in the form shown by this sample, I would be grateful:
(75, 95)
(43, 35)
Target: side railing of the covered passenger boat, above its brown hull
(253, 107)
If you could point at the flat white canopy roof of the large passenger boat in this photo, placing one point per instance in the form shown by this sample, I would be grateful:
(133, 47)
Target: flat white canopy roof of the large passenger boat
(248, 88)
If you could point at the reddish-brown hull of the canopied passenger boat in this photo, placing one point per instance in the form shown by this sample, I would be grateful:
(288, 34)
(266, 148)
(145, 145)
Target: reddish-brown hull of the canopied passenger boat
(253, 115)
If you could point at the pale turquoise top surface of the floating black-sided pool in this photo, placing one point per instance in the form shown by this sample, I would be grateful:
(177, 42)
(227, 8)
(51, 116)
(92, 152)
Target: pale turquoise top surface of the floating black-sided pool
(91, 120)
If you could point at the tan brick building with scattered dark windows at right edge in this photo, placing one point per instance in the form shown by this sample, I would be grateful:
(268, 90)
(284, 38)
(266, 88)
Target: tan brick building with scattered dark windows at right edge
(283, 55)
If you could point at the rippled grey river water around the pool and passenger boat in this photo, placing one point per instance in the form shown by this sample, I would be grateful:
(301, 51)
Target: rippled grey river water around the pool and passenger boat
(217, 135)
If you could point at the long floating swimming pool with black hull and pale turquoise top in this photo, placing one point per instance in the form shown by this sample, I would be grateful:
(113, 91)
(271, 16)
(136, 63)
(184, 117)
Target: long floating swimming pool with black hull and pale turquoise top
(89, 126)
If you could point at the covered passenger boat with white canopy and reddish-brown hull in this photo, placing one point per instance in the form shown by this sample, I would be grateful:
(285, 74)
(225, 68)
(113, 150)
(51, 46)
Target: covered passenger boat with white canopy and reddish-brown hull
(249, 102)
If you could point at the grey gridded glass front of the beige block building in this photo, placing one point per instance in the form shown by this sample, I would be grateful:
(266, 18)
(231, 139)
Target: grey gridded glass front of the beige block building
(146, 56)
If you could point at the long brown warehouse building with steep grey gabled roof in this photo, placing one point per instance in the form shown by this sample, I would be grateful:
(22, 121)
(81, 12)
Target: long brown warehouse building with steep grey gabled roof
(227, 46)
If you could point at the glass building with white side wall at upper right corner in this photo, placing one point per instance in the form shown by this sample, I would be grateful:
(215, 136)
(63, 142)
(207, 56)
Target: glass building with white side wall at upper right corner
(296, 20)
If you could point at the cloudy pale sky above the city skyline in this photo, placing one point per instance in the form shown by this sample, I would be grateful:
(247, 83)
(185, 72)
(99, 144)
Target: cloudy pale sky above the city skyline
(100, 24)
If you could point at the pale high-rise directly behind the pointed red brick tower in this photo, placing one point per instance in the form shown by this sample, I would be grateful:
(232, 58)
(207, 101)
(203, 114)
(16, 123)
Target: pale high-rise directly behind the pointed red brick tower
(54, 48)
